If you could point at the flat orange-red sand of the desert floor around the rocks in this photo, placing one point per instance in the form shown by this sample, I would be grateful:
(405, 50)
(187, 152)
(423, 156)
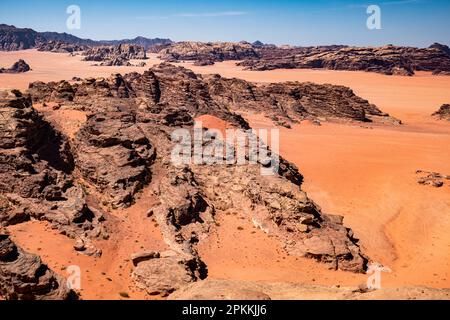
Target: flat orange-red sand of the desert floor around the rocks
(364, 172)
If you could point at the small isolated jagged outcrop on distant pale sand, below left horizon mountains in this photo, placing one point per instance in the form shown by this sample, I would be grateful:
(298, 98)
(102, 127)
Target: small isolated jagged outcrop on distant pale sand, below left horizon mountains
(115, 55)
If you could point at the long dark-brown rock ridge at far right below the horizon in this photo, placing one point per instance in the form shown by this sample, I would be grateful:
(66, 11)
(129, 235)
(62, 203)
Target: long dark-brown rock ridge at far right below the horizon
(387, 60)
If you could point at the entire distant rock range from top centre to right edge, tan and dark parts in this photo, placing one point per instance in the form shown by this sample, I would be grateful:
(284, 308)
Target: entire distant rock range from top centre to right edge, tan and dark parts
(390, 60)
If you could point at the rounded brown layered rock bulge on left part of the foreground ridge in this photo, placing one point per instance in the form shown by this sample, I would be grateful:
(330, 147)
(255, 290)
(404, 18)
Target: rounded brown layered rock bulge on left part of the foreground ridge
(112, 152)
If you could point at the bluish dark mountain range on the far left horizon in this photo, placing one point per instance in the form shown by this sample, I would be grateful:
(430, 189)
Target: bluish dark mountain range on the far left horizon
(12, 38)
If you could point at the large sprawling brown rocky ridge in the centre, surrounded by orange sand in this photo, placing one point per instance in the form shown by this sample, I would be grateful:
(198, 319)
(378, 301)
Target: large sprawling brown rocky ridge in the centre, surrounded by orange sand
(127, 143)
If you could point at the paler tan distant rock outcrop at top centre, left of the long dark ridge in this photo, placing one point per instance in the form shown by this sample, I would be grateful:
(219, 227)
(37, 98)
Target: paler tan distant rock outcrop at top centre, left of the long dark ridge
(208, 52)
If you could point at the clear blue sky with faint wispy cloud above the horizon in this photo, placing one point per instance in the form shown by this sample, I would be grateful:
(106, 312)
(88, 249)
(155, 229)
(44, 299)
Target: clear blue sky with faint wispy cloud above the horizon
(307, 22)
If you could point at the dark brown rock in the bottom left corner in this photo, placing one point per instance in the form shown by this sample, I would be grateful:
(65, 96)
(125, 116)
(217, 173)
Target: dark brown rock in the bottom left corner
(23, 276)
